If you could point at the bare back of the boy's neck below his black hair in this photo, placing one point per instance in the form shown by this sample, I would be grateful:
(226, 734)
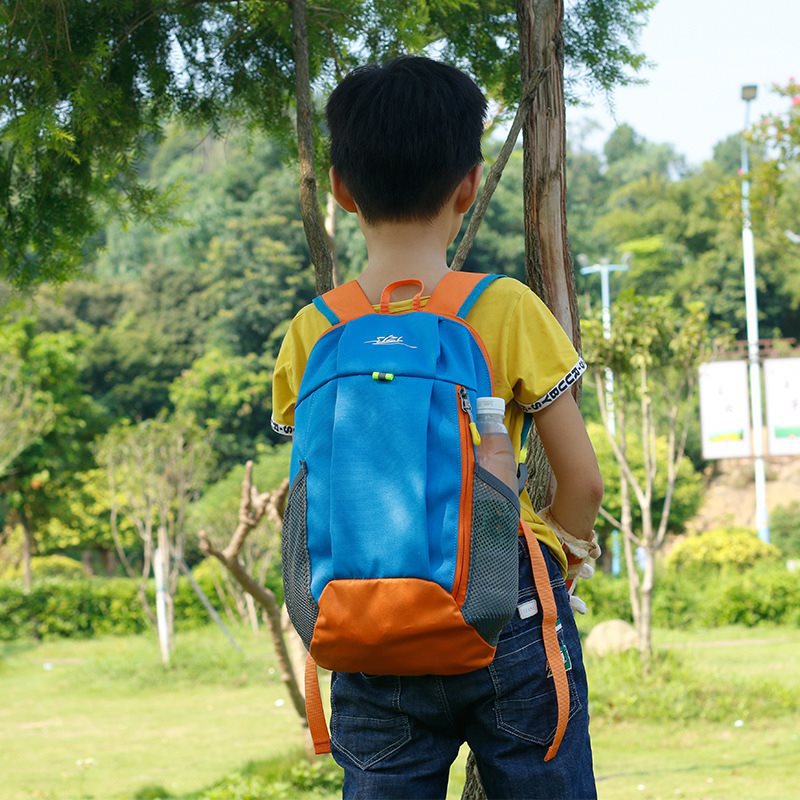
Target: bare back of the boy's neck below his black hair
(398, 250)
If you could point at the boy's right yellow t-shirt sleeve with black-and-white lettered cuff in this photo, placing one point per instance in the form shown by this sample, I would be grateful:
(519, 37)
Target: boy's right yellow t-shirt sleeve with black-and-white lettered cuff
(540, 354)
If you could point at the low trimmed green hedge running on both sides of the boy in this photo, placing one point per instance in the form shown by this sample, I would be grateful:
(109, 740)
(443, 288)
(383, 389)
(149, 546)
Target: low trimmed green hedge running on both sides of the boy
(95, 606)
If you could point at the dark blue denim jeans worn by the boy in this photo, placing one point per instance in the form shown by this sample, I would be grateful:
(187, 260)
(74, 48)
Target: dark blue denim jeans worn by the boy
(396, 737)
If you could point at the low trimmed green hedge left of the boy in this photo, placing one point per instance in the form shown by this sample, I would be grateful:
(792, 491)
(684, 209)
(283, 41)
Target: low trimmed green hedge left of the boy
(87, 607)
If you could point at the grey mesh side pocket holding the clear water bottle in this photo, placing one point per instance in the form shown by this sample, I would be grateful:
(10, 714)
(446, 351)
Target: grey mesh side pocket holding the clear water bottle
(493, 575)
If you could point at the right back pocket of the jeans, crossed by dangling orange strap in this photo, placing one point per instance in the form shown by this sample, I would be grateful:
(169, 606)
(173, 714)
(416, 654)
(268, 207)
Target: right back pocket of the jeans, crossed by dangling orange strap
(525, 695)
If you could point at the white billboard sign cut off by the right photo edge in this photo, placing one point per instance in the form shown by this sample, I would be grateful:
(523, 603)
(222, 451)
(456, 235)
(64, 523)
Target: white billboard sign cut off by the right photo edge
(782, 384)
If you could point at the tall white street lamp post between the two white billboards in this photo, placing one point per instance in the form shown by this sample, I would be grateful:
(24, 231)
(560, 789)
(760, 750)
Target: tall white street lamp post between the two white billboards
(751, 306)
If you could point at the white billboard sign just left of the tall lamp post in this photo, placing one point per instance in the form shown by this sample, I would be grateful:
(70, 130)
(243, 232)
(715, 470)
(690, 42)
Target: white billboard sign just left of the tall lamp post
(725, 410)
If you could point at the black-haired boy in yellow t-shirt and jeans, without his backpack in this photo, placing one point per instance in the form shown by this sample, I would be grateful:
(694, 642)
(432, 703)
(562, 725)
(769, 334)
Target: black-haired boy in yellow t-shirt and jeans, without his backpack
(406, 159)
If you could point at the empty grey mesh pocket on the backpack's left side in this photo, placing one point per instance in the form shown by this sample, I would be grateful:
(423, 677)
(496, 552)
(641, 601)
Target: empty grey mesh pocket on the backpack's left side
(300, 604)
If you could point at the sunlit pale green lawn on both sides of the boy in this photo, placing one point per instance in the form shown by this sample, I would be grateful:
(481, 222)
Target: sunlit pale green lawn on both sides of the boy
(101, 719)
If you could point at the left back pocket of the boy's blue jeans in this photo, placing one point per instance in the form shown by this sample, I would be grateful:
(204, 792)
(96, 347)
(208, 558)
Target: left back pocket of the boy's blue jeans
(366, 722)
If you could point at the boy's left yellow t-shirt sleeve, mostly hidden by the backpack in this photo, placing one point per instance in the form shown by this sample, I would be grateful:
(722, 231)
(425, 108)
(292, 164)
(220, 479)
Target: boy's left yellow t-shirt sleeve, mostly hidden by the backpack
(304, 330)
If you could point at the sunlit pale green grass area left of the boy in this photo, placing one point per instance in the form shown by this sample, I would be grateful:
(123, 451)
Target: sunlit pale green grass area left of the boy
(101, 718)
